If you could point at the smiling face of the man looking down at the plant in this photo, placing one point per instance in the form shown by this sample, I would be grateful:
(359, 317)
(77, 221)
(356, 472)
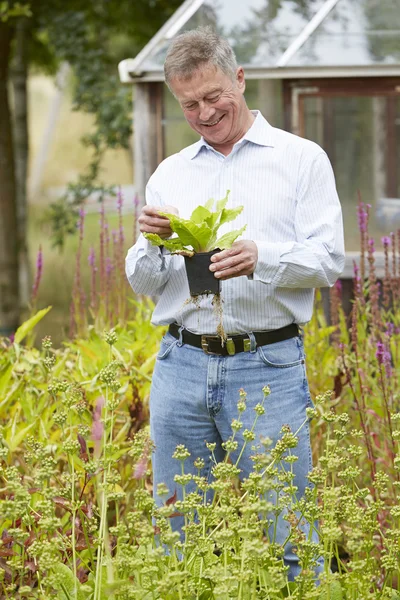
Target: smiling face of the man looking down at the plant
(214, 106)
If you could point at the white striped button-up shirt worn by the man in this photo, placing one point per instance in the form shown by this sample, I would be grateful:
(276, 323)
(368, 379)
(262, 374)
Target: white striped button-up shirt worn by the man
(293, 214)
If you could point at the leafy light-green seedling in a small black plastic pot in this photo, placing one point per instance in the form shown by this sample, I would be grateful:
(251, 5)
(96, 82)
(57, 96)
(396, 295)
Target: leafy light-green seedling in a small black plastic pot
(196, 239)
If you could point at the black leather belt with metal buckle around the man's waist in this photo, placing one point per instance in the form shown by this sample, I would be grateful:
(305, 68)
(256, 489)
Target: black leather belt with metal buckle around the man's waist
(212, 344)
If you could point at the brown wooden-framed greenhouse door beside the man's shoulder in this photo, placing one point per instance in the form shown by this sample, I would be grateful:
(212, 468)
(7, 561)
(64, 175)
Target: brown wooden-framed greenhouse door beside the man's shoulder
(357, 122)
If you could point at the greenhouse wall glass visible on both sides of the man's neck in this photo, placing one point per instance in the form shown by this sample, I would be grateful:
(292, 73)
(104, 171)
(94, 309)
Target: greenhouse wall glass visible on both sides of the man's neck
(260, 94)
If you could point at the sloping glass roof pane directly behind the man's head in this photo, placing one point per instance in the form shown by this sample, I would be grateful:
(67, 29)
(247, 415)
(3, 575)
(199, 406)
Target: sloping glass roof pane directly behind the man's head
(259, 30)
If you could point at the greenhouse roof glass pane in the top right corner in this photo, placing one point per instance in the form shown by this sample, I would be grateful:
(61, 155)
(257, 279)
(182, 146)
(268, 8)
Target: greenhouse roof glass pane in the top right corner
(356, 32)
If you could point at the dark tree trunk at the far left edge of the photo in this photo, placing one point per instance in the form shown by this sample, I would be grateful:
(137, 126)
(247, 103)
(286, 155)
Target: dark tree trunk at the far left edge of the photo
(9, 297)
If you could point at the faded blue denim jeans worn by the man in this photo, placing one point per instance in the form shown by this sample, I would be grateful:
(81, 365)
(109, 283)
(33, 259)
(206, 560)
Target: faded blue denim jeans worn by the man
(194, 399)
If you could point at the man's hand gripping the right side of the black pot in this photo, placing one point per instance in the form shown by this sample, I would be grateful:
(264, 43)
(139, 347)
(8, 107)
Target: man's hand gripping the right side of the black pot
(240, 259)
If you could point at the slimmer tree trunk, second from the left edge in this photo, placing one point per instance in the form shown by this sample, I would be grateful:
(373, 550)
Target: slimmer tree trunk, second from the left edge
(19, 75)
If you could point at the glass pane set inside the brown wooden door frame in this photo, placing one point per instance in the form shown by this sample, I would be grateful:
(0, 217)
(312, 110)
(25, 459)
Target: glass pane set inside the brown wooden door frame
(356, 133)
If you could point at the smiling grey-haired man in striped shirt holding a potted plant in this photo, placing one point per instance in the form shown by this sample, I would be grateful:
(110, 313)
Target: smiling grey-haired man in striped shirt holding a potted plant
(294, 243)
